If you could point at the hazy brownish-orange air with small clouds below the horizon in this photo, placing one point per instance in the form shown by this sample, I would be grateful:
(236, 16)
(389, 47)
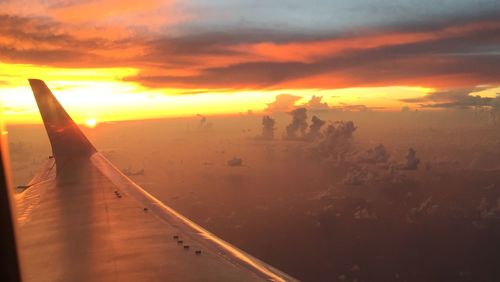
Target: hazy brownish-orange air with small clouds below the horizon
(342, 202)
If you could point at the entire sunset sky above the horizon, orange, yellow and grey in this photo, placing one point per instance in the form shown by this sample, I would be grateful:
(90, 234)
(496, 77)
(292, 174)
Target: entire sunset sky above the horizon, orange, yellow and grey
(123, 59)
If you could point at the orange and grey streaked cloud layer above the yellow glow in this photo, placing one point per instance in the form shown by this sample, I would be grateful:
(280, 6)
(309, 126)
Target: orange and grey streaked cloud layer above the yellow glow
(167, 44)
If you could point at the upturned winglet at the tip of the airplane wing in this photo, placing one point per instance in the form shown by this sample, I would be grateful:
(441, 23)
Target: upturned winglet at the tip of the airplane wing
(66, 139)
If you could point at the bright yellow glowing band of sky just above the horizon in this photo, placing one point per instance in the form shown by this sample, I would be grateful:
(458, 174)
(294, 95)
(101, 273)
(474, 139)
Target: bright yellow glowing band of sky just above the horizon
(103, 95)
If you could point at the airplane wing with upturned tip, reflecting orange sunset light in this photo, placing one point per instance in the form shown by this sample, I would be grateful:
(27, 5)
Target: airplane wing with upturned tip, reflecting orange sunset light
(82, 219)
